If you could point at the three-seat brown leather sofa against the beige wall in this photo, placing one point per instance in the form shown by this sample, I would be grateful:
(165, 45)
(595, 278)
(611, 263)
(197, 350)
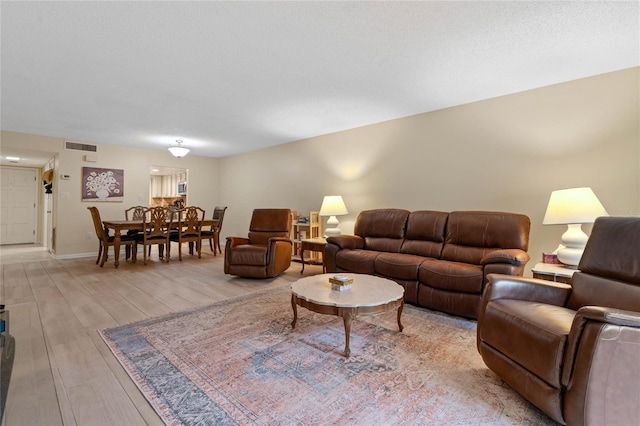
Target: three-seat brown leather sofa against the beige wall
(441, 259)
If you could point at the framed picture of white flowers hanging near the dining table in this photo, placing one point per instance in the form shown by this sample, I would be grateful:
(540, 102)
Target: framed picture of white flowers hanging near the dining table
(102, 184)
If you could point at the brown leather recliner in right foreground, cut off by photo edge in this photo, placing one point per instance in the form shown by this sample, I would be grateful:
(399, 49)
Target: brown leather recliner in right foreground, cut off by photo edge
(572, 350)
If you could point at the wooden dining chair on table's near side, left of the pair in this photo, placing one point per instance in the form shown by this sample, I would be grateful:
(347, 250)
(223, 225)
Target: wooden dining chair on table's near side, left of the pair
(157, 223)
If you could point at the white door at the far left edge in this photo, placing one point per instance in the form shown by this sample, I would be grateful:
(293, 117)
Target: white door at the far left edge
(17, 206)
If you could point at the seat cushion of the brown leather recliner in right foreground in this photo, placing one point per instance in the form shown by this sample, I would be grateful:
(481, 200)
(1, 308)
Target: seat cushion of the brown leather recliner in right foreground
(516, 327)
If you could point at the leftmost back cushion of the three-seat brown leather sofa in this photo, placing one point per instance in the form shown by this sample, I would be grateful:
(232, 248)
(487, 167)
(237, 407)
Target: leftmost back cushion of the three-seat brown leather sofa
(382, 229)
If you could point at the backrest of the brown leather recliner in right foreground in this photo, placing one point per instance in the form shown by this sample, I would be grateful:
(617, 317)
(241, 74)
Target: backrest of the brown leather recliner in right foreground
(610, 266)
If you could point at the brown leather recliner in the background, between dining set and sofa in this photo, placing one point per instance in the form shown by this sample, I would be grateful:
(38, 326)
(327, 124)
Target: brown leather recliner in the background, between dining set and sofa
(266, 253)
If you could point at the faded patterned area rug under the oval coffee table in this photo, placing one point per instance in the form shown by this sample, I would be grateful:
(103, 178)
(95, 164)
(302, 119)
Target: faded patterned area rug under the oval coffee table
(239, 362)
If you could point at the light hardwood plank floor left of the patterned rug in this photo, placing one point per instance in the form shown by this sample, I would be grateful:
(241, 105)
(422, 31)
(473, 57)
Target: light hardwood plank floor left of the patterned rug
(63, 372)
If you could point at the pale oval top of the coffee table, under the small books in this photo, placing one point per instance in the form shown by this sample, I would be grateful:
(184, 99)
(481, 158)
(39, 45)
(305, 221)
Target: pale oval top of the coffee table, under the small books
(366, 290)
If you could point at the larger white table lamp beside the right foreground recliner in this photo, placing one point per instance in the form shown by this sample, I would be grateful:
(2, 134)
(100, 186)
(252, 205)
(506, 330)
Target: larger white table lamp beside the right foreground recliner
(573, 207)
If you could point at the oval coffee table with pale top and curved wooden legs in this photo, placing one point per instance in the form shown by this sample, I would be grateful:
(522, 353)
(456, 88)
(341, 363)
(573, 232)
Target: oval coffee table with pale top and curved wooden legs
(368, 295)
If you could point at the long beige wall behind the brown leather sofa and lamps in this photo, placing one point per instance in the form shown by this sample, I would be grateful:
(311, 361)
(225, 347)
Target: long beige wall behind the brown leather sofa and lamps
(506, 153)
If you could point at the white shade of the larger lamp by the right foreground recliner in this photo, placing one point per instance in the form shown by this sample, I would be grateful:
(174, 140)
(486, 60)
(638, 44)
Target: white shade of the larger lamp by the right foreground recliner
(574, 205)
